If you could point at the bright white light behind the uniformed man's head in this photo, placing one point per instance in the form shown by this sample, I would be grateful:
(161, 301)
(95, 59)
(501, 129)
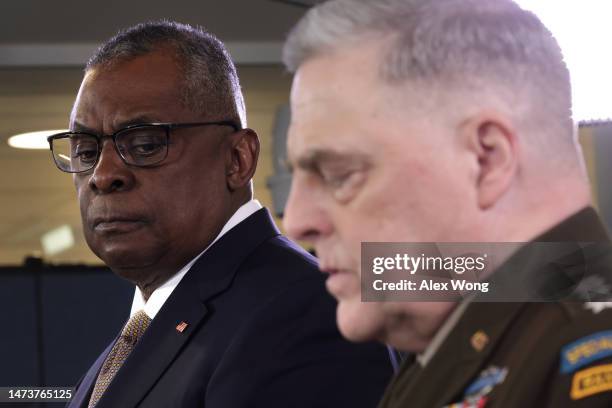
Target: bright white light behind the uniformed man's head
(583, 30)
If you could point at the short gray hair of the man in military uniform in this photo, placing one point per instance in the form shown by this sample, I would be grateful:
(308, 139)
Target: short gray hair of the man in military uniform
(484, 46)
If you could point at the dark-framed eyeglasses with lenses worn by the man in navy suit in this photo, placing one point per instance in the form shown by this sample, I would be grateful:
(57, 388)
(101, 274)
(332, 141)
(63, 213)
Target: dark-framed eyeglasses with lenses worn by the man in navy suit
(142, 145)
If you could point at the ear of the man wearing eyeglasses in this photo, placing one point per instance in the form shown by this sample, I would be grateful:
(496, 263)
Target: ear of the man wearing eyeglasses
(242, 155)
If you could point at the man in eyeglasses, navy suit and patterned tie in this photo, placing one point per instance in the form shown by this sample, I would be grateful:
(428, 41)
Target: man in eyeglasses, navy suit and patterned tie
(227, 312)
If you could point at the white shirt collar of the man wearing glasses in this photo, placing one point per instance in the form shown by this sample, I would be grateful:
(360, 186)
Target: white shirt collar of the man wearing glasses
(161, 294)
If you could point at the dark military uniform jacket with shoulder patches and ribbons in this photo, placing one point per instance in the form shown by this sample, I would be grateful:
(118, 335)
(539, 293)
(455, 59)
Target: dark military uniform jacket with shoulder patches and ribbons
(542, 355)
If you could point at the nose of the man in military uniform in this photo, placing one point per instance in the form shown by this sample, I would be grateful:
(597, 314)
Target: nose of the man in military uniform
(304, 218)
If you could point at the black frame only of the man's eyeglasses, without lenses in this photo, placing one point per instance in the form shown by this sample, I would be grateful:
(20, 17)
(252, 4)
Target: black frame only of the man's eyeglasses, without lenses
(168, 127)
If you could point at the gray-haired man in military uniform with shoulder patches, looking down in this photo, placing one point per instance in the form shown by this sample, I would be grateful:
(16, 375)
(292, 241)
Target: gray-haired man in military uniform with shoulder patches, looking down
(449, 121)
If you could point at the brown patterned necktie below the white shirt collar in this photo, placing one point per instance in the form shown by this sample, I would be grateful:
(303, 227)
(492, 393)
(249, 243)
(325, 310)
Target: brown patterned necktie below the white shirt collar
(131, 333)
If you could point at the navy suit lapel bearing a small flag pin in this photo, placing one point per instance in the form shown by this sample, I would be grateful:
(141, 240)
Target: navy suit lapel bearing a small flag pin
(211, 275)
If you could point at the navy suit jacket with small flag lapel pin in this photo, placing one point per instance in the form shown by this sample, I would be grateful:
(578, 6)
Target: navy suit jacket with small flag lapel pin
(261, 333)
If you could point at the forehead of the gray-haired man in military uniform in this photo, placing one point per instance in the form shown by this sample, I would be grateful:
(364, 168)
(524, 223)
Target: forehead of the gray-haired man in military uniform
(340, 100)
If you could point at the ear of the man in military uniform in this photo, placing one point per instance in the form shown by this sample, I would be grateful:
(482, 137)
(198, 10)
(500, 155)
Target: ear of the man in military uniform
(493, 141)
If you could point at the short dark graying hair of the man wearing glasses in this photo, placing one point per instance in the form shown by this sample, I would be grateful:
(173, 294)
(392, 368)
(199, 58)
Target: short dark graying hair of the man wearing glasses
(210, 81)
